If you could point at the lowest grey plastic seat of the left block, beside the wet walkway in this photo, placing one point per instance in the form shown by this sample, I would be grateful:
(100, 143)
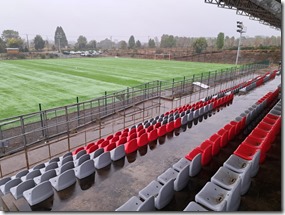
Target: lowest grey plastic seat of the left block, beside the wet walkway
(38, 193)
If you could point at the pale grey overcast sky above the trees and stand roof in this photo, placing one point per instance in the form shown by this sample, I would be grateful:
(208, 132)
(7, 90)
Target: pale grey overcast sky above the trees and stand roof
(119, 19)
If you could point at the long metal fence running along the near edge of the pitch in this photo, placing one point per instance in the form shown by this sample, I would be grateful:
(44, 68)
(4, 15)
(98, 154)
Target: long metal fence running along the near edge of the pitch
(19, 132)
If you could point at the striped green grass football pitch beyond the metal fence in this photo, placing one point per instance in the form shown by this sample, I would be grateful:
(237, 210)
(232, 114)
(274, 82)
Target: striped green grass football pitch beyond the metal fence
(56, 82)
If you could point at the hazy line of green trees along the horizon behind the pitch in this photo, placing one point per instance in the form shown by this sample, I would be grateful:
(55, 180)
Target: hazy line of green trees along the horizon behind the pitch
(11, 39)
